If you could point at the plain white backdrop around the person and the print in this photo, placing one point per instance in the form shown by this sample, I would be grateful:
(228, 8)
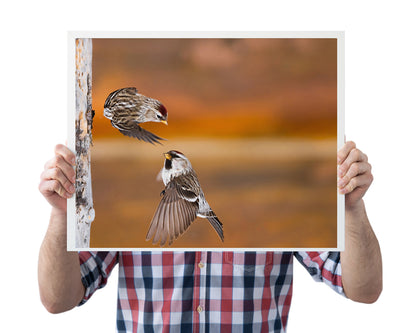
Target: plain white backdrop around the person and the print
(380, 108)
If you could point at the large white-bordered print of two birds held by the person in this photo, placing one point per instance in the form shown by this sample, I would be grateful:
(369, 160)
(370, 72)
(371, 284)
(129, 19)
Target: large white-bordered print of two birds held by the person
(203, 140)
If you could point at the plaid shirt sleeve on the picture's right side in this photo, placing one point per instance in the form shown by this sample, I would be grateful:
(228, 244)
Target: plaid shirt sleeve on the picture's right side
(323, 267)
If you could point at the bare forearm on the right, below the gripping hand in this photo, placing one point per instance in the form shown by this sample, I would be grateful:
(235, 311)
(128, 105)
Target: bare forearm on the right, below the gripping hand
(361, 261)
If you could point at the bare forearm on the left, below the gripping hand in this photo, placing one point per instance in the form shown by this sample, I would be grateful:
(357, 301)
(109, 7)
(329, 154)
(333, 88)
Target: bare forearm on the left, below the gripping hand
(59, 273)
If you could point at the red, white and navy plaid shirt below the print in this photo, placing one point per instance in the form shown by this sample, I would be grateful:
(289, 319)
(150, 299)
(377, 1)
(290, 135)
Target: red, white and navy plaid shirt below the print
(204, 291)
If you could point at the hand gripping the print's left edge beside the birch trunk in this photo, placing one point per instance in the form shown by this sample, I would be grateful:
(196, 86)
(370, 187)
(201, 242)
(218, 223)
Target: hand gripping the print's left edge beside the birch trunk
(57, 181)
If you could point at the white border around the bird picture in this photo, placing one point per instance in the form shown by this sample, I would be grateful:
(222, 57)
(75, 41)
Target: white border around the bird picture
(339, 35)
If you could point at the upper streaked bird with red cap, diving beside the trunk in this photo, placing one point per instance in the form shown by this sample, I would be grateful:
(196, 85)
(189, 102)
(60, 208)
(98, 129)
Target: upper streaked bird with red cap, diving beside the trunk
(127, 109)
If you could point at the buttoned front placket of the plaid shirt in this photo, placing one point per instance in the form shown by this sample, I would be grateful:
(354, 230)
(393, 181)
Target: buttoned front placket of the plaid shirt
(200, 291)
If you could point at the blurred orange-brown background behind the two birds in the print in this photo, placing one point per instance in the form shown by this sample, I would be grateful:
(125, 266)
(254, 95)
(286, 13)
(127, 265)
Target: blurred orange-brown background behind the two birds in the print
(256, 117)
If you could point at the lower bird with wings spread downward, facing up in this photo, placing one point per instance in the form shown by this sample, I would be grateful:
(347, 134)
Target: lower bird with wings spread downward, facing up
(182, 201)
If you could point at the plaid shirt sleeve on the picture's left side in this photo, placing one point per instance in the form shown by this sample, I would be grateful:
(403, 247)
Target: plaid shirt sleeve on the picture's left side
(95, 270)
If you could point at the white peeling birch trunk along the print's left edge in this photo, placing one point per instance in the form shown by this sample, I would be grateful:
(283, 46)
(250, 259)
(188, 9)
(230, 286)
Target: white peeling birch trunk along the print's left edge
(83, 140)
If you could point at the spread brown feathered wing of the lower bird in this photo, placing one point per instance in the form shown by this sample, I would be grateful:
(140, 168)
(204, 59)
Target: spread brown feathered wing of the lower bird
(173, 215)
